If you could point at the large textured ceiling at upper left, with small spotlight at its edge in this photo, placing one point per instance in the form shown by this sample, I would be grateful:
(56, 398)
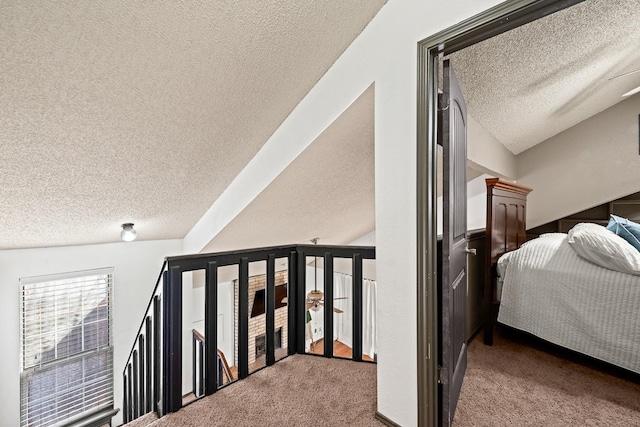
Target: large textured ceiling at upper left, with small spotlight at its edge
(115, 111)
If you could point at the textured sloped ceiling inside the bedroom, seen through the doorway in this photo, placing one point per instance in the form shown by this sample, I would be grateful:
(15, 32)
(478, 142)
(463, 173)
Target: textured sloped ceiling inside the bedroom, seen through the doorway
(528, 84)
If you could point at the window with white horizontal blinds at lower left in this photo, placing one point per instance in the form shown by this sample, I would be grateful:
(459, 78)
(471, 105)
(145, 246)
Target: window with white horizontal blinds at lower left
(66, 352)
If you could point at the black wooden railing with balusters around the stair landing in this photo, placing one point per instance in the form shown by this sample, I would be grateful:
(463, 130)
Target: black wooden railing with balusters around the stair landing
(153, 373)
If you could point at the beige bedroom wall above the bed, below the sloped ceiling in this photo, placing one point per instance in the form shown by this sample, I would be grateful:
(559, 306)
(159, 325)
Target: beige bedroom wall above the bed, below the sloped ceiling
(589, 164)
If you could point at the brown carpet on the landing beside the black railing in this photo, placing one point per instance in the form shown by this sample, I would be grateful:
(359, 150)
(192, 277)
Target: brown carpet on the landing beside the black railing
(300, 390)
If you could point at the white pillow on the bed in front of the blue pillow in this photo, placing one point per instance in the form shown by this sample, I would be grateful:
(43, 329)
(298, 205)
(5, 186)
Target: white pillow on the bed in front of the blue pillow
(604, 248)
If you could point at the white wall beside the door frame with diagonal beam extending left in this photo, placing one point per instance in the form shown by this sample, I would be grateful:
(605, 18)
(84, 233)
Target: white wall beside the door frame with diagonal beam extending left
(384, 53)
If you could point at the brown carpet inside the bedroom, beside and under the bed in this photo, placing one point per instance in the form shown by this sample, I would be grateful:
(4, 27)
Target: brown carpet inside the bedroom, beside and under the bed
(523, 382)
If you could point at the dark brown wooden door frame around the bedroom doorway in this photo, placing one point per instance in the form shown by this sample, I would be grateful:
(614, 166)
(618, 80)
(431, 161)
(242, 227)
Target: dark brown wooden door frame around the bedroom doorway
(499, 19)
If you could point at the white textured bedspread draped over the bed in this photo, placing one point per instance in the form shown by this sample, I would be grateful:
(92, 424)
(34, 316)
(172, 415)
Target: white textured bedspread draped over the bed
(553, 293)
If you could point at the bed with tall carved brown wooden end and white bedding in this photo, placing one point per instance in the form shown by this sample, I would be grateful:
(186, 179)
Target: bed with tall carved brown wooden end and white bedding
(548, 288)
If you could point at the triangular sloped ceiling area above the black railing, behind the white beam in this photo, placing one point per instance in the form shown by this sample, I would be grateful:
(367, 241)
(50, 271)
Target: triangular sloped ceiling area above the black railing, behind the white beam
(327, 192)
